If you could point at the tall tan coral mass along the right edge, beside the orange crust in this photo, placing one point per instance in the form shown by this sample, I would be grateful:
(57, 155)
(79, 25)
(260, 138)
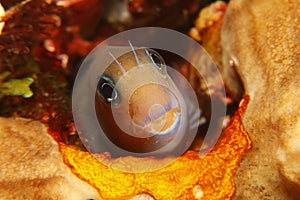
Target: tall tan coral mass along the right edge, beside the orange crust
(261, 42)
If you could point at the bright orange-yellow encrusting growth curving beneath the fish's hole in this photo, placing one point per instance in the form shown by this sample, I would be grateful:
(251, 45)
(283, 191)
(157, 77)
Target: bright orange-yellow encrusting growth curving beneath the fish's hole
(189, 177)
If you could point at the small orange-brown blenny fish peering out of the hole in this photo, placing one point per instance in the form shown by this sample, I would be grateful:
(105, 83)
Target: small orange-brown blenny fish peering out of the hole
(139, 106)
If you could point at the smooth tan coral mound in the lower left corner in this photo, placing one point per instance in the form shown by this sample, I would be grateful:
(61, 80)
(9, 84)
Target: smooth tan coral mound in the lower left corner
(31, 166)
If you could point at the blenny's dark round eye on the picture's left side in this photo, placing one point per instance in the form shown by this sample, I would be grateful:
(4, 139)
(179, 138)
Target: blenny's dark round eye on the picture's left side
(106, 89)
